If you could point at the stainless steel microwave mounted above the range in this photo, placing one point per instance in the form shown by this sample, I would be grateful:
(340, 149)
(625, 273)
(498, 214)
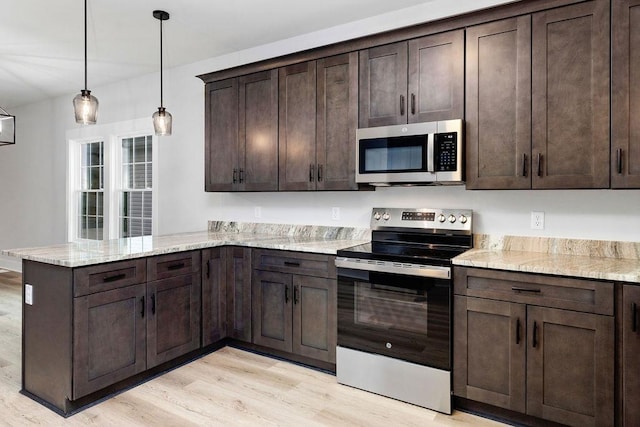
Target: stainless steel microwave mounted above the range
(416, 153)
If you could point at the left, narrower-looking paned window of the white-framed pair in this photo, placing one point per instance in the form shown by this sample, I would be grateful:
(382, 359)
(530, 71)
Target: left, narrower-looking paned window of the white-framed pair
(91, 194)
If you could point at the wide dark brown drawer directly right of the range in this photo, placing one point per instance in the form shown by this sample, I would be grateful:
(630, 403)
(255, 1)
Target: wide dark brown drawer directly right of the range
(589, 296)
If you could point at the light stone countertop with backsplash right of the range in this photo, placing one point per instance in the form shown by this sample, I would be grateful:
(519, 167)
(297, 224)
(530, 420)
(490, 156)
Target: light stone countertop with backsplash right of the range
(592, 259)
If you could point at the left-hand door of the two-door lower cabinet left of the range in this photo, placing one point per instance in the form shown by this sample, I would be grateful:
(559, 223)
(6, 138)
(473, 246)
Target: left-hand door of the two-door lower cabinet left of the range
(272, 296)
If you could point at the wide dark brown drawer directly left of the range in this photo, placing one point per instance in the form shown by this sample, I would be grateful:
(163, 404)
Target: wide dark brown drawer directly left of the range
(295, 262)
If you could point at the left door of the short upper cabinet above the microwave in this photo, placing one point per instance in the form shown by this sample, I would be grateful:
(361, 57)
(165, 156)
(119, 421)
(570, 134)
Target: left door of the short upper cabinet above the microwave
(383, 85)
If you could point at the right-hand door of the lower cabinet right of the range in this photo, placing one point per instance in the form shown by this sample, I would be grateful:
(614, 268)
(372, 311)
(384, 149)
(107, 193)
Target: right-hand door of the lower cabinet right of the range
(570, 366)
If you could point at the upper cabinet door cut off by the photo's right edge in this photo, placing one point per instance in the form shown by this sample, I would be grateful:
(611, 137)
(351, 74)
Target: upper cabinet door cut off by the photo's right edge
(625, 108)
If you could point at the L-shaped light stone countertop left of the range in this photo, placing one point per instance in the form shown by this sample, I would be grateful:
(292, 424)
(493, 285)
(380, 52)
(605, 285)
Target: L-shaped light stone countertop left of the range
(324, 240)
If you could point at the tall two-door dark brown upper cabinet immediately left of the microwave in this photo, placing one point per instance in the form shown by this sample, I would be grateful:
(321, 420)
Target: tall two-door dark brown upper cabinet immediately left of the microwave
(318, 116)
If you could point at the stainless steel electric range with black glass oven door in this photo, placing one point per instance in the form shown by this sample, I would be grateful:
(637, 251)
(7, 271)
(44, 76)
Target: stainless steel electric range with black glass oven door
(394, 305)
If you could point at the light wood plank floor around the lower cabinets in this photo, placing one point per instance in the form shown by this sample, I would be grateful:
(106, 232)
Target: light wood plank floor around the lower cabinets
(229, 387)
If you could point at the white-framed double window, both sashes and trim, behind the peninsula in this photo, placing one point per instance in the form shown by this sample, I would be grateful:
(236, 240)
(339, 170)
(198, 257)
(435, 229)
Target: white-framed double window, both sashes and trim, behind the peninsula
(110, 187)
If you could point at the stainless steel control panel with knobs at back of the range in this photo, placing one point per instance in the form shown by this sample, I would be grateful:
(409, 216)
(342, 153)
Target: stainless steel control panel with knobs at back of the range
(426, 218)
